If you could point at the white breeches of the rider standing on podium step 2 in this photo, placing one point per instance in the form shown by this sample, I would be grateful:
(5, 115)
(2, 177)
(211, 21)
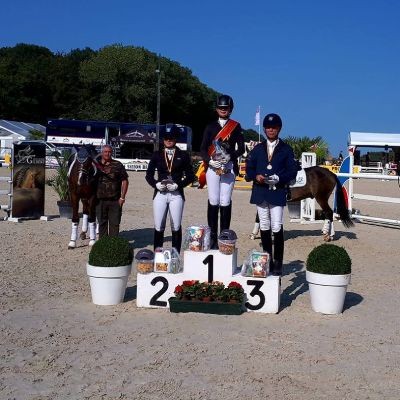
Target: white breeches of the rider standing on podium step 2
(164, 202)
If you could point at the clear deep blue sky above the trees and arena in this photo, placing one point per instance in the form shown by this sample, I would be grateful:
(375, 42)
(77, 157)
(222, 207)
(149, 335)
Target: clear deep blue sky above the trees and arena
(327, 67)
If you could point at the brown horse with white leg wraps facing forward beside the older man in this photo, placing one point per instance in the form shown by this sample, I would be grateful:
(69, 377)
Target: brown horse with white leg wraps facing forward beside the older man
(82, 183)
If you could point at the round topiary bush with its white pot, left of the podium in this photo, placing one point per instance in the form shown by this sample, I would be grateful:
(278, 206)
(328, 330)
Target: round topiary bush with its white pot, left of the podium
(108, 268)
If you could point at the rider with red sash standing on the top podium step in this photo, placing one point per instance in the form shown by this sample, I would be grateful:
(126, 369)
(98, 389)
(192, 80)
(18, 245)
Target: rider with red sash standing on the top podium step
(222, 145)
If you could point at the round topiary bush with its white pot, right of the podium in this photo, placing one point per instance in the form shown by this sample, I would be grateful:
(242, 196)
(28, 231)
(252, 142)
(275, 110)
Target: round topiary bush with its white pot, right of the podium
(328, 274)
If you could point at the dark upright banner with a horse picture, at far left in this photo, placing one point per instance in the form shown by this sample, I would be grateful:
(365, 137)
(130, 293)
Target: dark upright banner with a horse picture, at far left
(29, 162)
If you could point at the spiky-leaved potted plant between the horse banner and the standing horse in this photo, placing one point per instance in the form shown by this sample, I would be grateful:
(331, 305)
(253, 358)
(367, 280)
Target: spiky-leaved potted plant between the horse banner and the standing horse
(59, 182)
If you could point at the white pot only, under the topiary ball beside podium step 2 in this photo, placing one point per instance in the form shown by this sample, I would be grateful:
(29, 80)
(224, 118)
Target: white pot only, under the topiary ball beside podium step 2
(108, 284)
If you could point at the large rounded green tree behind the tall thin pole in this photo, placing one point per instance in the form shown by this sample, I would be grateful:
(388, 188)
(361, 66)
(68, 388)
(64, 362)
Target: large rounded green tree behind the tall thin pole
(120, 83)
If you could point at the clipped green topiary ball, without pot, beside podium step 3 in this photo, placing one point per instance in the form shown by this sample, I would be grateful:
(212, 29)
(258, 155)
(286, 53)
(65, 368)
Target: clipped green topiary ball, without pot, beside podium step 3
(329, 259)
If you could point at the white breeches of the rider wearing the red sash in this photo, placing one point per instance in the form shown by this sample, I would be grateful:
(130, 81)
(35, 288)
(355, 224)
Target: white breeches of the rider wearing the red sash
(220, 187)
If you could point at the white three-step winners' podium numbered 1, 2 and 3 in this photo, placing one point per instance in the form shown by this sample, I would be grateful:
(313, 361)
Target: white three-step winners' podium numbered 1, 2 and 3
(262, 294)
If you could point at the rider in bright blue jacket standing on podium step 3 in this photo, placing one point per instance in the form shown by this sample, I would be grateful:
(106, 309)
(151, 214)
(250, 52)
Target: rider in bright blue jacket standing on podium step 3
(271, 166)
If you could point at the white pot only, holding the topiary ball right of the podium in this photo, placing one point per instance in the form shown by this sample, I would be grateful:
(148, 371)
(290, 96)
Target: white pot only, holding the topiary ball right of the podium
(327, 292)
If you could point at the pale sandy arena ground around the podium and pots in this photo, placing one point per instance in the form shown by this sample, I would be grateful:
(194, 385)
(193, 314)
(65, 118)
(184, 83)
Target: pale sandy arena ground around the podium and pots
(55, 344)
